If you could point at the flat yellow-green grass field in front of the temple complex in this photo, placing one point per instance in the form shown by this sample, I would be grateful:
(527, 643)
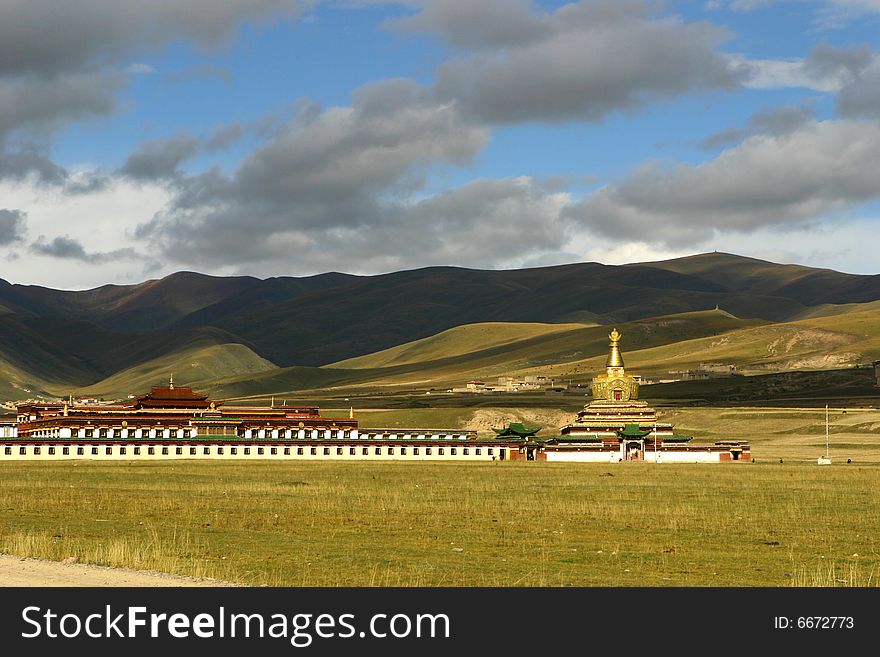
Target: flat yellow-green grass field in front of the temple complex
(494, 524)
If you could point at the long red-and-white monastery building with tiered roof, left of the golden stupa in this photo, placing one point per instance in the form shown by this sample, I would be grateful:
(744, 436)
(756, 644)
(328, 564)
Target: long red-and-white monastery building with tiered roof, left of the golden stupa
(176, 422)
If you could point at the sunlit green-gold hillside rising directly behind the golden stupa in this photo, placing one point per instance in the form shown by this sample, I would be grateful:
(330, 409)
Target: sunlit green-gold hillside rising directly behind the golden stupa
(575, 352)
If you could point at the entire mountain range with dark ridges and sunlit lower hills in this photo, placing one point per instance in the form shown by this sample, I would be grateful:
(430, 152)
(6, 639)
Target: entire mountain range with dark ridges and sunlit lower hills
(245, 335)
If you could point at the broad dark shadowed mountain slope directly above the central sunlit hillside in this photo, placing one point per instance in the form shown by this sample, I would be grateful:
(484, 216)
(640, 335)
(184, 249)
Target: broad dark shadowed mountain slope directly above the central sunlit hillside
(379, 312)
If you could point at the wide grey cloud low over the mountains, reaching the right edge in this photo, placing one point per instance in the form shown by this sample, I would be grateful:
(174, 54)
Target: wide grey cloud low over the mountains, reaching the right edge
(818, 171)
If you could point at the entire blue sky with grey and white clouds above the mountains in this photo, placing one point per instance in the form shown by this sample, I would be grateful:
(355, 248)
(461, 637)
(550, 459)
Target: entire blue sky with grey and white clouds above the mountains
(295, 137)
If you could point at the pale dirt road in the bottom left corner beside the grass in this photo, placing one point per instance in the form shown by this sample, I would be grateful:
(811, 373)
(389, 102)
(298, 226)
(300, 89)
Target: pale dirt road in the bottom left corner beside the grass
(15, 571)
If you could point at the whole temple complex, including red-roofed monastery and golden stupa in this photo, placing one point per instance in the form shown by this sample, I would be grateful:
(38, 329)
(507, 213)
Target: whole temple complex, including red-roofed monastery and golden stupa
(176, 422)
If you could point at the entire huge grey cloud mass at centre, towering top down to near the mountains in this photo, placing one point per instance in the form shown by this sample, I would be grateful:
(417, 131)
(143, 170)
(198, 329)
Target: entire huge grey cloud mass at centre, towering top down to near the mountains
(348, 176)
